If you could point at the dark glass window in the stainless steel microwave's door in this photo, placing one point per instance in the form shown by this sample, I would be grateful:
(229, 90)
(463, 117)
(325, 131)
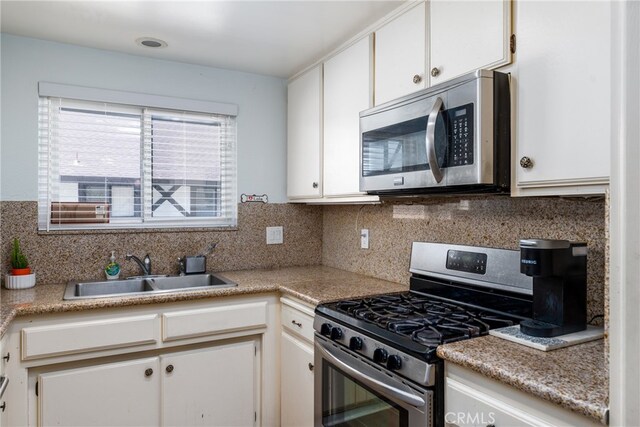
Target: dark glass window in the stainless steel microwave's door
(401, 147)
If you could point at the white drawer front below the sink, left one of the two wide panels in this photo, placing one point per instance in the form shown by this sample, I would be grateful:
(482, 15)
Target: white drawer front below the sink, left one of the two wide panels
(80, 337)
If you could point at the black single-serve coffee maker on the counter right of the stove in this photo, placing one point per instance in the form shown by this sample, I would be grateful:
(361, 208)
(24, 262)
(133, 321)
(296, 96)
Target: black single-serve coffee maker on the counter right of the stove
(559, 271)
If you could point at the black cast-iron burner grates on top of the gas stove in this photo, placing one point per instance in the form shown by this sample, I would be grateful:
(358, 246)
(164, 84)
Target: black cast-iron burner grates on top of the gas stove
(425, 320)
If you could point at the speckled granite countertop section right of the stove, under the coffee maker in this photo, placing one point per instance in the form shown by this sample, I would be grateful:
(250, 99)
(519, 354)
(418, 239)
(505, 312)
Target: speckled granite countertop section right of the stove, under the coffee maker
(576, 378)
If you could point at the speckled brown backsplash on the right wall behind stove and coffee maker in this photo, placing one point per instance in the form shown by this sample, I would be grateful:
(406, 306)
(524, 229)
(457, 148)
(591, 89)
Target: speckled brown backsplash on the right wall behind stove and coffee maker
(494, 221)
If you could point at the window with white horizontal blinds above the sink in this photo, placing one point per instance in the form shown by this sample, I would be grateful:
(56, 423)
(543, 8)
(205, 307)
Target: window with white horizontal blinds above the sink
(109, 165)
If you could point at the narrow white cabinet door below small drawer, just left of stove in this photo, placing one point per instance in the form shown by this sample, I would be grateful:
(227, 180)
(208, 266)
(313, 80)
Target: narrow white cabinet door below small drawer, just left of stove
(296, 372)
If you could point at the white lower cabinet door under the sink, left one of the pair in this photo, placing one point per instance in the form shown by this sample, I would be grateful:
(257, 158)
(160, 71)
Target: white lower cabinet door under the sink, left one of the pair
(114, 394)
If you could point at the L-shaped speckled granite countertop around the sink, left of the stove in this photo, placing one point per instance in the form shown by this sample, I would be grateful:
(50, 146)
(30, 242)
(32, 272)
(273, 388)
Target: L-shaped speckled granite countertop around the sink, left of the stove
(314, 284)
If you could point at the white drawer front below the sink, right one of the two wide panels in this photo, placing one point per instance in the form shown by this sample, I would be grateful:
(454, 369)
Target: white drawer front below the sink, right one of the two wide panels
(215, 320)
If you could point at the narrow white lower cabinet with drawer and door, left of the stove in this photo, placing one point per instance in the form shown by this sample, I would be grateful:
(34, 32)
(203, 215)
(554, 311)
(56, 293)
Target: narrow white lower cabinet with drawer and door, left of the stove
(296, 364)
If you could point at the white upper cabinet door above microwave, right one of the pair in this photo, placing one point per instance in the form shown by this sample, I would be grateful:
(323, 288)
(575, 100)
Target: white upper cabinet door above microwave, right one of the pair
(467, 35)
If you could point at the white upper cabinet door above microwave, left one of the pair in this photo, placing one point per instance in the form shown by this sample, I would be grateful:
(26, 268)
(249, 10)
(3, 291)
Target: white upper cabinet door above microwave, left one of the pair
(400, 57)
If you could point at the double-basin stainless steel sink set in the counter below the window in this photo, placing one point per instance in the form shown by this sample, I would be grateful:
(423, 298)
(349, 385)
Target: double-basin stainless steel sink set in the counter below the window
(144, 286)
